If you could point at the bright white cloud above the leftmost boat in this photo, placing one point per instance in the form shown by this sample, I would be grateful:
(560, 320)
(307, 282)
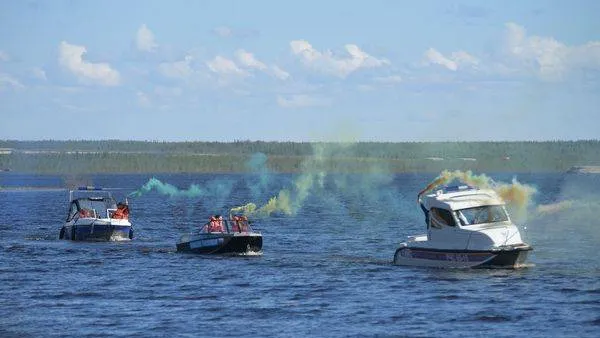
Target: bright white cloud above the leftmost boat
(71, 58)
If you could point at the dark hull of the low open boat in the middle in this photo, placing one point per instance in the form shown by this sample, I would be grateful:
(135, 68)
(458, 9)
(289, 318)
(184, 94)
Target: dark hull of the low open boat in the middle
(222, 244)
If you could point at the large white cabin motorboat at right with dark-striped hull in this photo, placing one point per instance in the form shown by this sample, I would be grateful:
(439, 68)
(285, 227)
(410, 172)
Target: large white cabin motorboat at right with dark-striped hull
(467, 227)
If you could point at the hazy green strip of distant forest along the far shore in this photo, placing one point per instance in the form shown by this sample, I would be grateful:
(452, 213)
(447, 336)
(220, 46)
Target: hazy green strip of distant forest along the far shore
(112, 156)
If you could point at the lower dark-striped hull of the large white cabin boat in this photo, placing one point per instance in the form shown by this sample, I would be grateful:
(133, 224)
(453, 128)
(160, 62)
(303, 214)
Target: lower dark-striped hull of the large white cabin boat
(505, 258)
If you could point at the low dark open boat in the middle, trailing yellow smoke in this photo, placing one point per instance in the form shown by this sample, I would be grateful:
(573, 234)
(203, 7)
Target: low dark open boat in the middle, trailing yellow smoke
(218, 236)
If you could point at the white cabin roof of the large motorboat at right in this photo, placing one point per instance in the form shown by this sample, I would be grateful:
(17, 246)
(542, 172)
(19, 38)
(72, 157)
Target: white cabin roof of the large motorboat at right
(461, 197)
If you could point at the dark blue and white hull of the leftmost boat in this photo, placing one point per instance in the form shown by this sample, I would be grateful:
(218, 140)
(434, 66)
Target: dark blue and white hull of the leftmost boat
(103, 232)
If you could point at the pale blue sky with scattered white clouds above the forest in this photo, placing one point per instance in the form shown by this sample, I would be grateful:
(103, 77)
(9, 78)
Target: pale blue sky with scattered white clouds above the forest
(378, 70)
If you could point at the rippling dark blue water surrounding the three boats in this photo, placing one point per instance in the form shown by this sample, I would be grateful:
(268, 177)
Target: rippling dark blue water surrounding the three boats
(325, 271)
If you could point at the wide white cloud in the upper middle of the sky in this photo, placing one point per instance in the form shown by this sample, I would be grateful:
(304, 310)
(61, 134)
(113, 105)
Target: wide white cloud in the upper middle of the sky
(327, 62)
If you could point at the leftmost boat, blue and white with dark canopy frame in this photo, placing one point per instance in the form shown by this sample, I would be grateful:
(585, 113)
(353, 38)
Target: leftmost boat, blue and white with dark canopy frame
(94, 215)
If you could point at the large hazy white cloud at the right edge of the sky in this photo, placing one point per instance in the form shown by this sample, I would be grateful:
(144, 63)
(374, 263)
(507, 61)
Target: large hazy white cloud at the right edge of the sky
(549, 58)
